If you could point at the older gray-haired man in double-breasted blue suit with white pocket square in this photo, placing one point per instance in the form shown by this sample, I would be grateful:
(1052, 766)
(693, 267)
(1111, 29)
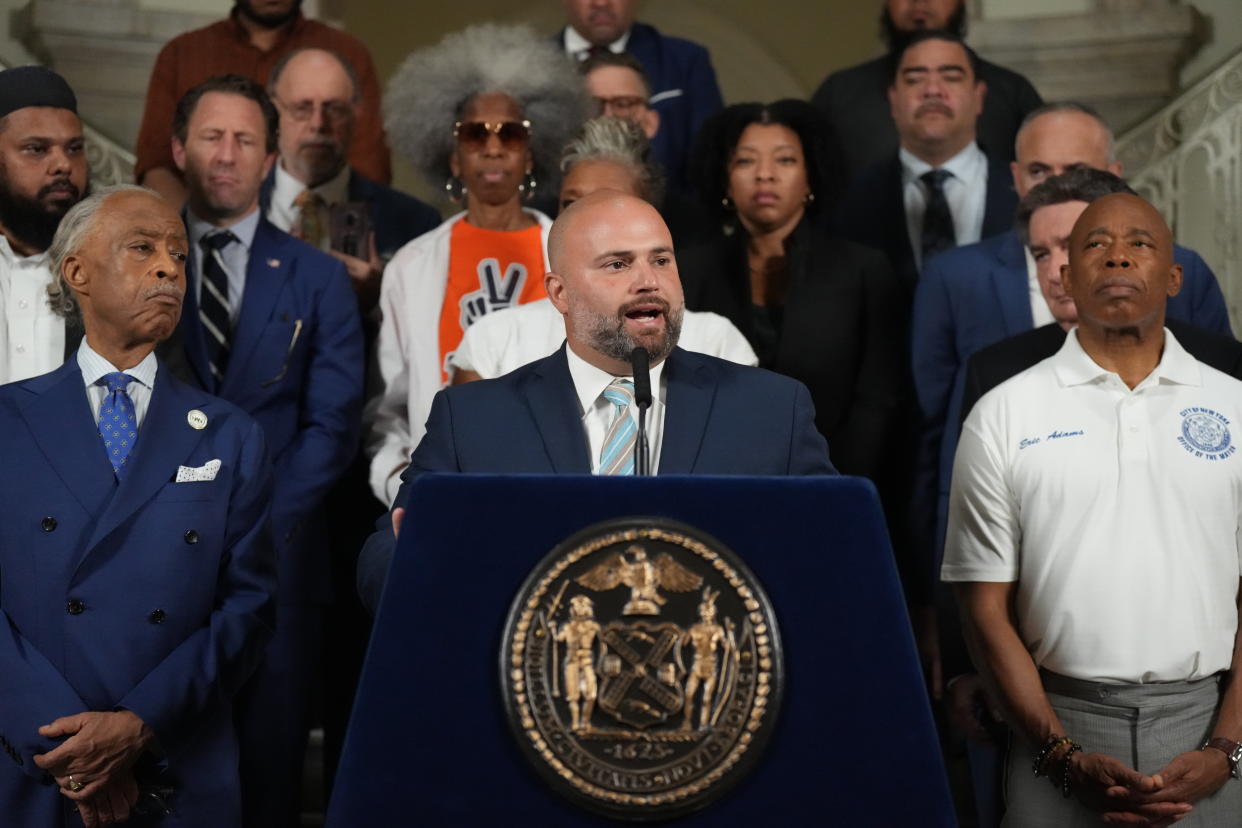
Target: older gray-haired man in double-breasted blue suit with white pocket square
(137, 569)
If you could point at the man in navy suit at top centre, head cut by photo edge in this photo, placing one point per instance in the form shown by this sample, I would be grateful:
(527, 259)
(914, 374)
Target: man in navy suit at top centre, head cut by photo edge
(685, 90)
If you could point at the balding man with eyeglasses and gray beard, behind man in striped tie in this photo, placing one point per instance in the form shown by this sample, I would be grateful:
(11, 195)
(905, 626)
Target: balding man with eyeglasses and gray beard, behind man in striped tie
(312, 192)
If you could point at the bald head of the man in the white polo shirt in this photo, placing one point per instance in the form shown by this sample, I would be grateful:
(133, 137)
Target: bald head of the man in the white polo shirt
(1121, 271)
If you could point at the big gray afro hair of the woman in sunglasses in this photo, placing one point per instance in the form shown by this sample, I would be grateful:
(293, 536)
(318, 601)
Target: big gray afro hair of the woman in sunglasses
(428, 92)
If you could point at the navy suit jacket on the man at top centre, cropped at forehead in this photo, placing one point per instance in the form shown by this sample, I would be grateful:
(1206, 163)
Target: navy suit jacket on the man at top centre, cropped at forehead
(684, 91)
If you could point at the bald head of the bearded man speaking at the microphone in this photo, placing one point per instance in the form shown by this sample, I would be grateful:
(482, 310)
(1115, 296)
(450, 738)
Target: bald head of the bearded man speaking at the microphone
(615, 280)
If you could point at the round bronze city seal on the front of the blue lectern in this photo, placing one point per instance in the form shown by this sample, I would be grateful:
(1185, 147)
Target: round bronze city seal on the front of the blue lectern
(641, 668)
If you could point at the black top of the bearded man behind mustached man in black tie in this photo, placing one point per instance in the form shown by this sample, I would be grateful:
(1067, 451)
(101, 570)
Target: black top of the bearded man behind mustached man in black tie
(856, 104)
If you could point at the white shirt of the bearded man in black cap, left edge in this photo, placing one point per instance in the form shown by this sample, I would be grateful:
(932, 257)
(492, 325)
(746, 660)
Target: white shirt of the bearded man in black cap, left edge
(32, 335)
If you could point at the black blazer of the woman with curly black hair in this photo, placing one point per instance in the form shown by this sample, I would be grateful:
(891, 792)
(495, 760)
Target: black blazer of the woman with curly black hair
(843, 335)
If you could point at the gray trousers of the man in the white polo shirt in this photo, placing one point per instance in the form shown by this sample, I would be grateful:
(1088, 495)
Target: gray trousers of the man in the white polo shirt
(1143, 726)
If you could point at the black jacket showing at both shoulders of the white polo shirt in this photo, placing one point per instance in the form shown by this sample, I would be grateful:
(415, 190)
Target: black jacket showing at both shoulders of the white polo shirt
(1010, 357)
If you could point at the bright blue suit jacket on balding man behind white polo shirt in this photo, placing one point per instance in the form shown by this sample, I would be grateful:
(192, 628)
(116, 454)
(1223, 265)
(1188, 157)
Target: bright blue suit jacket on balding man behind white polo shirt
(972, 297)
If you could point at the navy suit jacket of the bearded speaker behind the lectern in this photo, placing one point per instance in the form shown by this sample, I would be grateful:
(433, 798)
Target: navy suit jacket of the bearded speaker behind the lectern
(721, 419)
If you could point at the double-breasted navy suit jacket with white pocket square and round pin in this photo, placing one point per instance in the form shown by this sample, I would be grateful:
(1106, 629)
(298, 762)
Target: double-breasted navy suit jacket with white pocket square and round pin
(148, 595)
